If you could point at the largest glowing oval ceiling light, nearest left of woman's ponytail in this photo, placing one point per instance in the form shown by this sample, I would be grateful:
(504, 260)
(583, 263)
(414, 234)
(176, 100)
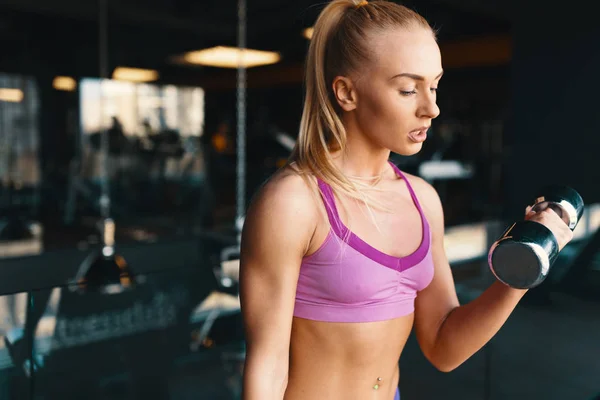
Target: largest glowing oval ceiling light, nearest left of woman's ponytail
(231, 57)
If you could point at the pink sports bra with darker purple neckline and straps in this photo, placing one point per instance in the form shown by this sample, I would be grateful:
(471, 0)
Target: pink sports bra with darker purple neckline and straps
(347, 280)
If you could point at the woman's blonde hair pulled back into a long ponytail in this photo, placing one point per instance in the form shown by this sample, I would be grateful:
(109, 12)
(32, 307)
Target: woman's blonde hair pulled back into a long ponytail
(338, 47)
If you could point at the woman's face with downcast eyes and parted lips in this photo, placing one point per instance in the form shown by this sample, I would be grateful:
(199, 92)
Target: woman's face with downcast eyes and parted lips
(396, 90)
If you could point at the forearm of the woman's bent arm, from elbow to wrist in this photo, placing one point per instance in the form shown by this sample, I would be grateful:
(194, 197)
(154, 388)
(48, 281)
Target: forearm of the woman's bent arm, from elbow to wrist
(469, 327)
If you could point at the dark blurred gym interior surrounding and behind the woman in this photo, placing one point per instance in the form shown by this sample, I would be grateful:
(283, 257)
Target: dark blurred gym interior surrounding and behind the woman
(115, 128)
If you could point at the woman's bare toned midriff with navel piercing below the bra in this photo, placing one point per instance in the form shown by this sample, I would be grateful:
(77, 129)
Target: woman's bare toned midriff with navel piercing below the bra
(346, 360)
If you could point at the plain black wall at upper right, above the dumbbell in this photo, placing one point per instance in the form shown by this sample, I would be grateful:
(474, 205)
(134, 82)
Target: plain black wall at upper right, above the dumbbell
(554, 130)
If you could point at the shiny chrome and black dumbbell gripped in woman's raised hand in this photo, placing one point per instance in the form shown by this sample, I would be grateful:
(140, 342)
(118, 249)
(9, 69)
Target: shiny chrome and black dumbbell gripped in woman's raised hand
(521, 258)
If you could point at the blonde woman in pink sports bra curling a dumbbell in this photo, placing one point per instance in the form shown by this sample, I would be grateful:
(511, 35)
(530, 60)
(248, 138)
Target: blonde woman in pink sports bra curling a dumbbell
(342, 253)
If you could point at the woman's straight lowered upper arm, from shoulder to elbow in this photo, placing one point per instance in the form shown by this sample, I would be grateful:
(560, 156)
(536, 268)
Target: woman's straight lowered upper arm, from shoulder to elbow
(276, 232)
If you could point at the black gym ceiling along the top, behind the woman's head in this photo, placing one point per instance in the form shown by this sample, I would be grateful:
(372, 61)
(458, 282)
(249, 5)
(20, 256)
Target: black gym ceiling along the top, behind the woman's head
(61, 36)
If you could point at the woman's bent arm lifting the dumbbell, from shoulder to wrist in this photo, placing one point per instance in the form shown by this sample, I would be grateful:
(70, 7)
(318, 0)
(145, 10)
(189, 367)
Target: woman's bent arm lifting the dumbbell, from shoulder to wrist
(450, 333)
